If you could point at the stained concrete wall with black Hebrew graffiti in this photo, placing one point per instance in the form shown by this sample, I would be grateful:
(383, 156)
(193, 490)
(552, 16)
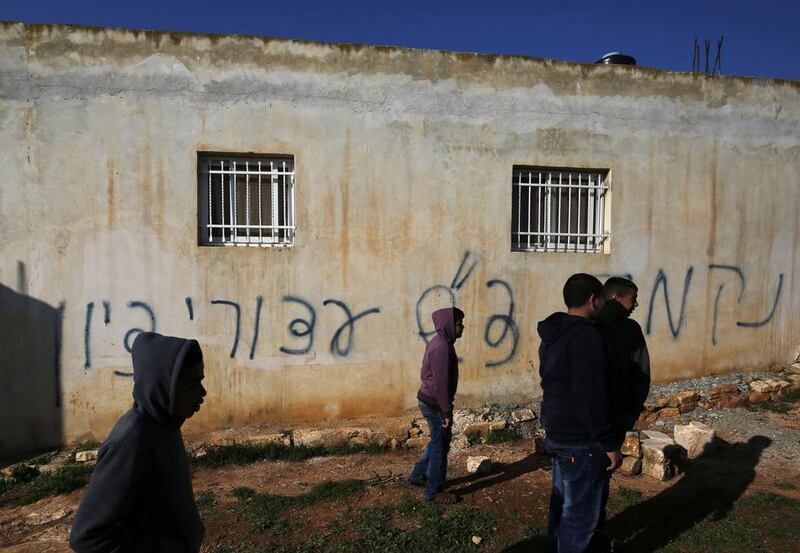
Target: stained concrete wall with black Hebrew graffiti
(404, 161)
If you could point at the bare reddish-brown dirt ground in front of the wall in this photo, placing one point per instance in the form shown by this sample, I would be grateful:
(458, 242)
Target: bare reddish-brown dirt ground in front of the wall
(754, 457)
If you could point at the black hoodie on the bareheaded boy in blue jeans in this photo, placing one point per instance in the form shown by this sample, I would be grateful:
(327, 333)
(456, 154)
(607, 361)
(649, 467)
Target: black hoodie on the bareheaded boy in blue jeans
(574, 372)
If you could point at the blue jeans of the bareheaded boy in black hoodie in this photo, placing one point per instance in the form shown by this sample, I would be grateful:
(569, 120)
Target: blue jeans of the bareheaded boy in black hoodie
(576, 500)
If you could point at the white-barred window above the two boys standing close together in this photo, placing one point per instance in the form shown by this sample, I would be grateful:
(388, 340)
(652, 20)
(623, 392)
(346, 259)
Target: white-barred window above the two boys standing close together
(558, 210)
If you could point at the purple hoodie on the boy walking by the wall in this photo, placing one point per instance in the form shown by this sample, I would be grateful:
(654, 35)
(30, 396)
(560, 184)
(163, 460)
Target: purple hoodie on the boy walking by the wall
(439, 372)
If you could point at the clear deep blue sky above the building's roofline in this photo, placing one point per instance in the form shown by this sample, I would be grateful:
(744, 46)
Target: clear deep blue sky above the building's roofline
(761, 38)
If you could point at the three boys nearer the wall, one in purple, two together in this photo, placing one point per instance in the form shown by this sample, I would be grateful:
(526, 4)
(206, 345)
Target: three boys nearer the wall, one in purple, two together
(595, 377)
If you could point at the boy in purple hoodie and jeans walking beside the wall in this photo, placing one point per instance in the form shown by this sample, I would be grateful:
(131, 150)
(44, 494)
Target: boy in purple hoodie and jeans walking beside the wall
(439, 376)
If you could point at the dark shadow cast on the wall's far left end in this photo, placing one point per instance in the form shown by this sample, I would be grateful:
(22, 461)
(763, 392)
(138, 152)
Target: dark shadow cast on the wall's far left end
(30, 372)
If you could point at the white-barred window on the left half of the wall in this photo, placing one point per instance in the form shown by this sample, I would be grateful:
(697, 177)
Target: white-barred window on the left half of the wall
(245, 200)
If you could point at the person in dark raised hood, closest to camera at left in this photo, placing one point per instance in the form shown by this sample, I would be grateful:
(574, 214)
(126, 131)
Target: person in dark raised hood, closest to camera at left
(140, 496)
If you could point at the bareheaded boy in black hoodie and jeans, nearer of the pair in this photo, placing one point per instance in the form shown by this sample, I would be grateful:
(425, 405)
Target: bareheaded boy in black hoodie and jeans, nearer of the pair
(575, 415)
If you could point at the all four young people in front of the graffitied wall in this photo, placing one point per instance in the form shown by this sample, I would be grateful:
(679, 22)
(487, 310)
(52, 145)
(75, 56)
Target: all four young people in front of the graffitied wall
(595, 377)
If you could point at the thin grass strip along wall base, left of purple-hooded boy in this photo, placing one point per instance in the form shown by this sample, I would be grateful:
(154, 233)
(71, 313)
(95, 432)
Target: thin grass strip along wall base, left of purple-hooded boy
(244, 454)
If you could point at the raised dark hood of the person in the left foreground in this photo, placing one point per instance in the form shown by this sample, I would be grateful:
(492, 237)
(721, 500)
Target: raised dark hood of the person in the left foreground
(157, 362)
